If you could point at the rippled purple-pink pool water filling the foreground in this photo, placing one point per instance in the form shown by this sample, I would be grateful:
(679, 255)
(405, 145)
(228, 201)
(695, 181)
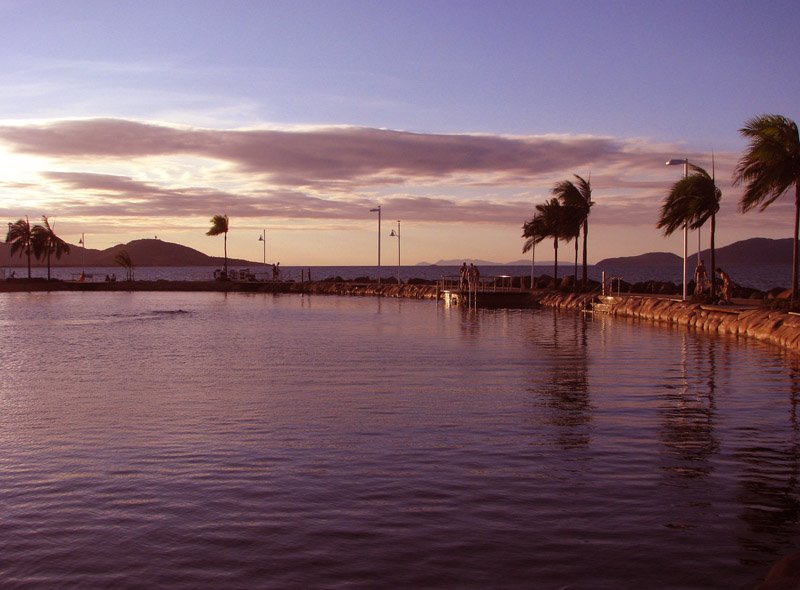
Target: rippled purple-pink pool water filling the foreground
(212, 441)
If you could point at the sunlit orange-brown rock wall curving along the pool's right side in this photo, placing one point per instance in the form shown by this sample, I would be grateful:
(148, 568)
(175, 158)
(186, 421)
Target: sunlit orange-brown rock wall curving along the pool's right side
(775, 327)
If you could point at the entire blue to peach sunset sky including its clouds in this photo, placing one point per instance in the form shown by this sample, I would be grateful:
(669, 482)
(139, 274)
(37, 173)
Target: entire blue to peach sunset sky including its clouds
(126, 120)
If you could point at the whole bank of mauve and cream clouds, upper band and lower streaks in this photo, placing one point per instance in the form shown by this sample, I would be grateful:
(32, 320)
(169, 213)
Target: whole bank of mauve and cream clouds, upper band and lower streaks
(339, 172)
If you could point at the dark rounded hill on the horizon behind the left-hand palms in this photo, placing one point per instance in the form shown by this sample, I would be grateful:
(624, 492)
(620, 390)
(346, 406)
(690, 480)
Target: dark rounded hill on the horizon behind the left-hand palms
(146, 252)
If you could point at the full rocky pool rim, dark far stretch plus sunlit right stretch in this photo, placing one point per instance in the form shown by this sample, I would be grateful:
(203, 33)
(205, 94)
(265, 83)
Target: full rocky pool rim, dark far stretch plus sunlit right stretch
(745, 318)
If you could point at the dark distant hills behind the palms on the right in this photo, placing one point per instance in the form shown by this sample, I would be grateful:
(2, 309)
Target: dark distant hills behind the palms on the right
(753, 251)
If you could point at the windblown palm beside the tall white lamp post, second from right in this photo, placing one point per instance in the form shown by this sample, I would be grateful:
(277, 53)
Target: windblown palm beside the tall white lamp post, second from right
(692, 201)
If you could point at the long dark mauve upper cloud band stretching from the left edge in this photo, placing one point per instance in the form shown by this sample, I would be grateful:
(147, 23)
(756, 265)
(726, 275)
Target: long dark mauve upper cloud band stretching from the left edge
(318, 156)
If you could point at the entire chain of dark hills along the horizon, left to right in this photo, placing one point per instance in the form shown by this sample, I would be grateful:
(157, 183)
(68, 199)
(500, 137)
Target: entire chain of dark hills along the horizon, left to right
(155, 252)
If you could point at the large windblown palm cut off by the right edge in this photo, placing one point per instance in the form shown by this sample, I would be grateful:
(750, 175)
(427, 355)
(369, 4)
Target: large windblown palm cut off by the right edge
(769, 168)
